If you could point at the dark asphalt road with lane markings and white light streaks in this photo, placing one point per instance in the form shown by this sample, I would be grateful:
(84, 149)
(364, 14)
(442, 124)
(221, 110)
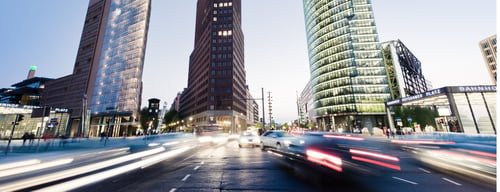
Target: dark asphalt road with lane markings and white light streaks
(193, 166)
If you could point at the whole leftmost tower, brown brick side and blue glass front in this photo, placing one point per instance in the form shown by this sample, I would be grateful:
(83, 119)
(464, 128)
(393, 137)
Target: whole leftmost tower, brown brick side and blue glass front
(106, 83)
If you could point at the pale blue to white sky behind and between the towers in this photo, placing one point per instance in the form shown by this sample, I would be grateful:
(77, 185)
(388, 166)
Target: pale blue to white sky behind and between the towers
(444, 35)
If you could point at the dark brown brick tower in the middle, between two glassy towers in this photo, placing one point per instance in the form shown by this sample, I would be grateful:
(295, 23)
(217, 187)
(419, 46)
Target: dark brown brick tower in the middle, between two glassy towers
(216, 92)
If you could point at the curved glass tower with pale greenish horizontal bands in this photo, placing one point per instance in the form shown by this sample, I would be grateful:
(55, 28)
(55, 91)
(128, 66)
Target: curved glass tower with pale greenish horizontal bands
(348, 78)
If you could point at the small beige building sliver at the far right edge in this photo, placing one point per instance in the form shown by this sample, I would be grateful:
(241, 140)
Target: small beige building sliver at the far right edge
(489, 50)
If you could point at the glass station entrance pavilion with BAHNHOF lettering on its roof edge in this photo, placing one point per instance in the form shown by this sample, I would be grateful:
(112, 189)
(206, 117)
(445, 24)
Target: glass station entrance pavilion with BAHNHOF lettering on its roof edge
(466, 109)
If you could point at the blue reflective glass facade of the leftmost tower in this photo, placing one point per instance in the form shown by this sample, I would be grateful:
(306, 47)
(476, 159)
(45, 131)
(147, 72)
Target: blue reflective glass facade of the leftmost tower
(118, 81)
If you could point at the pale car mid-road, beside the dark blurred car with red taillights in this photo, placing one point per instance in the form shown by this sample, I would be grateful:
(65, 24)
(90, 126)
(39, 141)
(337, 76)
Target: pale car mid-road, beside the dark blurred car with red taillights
(276, 139)
